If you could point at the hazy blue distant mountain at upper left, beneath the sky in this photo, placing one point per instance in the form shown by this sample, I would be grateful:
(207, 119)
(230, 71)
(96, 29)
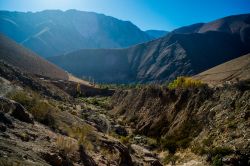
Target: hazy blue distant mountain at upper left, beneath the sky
(54, 32)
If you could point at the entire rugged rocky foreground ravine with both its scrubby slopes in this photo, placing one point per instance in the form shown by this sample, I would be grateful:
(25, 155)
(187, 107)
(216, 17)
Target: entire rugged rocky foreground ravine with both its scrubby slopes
(145, 125)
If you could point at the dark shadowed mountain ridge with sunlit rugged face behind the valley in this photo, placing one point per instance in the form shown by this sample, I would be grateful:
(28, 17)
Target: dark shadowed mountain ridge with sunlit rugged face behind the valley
(185, 51)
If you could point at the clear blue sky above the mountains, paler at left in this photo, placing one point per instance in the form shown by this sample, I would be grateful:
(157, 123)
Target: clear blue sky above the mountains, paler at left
(146, 14)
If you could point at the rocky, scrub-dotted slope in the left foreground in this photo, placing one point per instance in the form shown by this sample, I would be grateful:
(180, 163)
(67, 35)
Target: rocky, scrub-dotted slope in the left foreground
(43, 122)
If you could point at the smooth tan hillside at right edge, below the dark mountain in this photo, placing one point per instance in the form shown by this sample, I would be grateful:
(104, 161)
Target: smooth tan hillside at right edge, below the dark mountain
(235, 70)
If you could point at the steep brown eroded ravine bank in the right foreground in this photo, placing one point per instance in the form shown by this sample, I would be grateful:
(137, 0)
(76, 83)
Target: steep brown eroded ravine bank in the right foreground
(213, 123)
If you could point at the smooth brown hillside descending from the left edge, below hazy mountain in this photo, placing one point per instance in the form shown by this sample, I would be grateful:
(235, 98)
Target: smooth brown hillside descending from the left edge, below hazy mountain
(18, 56)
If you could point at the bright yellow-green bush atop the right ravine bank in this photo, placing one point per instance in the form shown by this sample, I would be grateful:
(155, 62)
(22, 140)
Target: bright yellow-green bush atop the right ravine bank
(185, 82)
